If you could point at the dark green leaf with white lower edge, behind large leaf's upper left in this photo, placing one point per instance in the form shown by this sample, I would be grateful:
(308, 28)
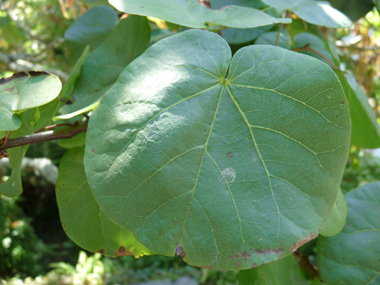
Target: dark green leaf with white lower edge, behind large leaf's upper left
(127, 41)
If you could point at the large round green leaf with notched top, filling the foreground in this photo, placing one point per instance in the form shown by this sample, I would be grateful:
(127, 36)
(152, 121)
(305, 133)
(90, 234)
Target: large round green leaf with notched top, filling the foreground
(226, 162)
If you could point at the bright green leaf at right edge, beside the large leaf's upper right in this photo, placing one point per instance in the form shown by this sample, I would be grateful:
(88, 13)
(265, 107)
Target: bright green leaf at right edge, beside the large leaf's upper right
(365, 128)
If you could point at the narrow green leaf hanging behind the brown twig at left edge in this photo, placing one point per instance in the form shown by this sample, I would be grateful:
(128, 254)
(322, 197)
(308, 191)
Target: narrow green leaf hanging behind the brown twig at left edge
(13, 186)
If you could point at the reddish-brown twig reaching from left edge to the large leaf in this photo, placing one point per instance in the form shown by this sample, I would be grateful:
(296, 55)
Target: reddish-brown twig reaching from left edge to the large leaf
(45, 136)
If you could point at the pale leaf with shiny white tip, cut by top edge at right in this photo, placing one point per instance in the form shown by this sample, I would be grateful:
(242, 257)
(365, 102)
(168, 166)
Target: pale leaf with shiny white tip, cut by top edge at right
(316, 12)
